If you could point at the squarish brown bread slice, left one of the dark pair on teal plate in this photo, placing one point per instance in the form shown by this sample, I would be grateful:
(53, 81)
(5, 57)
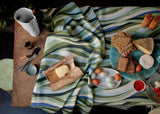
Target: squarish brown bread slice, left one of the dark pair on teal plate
(122, 64)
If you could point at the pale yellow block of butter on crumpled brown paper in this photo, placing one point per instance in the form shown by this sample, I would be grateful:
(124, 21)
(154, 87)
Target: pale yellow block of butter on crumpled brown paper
(61, 71)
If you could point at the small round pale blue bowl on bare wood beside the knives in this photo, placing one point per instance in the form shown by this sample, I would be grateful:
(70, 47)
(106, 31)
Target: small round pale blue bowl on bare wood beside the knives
(31, 70)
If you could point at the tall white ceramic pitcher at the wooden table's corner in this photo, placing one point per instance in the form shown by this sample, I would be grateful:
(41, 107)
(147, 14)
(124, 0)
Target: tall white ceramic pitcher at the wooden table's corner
(28, 21)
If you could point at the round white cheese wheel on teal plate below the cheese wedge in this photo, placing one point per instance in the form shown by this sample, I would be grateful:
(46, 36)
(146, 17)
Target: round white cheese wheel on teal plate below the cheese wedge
(146, 61)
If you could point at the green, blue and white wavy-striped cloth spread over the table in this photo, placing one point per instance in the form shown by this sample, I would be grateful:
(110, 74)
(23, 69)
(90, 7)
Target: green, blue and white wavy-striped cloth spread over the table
(85, 33)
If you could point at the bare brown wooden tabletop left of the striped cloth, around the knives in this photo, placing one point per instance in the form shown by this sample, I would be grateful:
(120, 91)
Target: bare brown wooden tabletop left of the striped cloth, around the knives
(22, 83)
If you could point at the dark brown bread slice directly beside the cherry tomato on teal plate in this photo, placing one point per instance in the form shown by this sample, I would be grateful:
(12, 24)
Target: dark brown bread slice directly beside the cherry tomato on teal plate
(131, 66)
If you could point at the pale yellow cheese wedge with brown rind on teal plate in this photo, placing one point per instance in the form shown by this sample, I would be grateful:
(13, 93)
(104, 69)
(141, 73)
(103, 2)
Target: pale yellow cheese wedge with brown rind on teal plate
(146, 45)
